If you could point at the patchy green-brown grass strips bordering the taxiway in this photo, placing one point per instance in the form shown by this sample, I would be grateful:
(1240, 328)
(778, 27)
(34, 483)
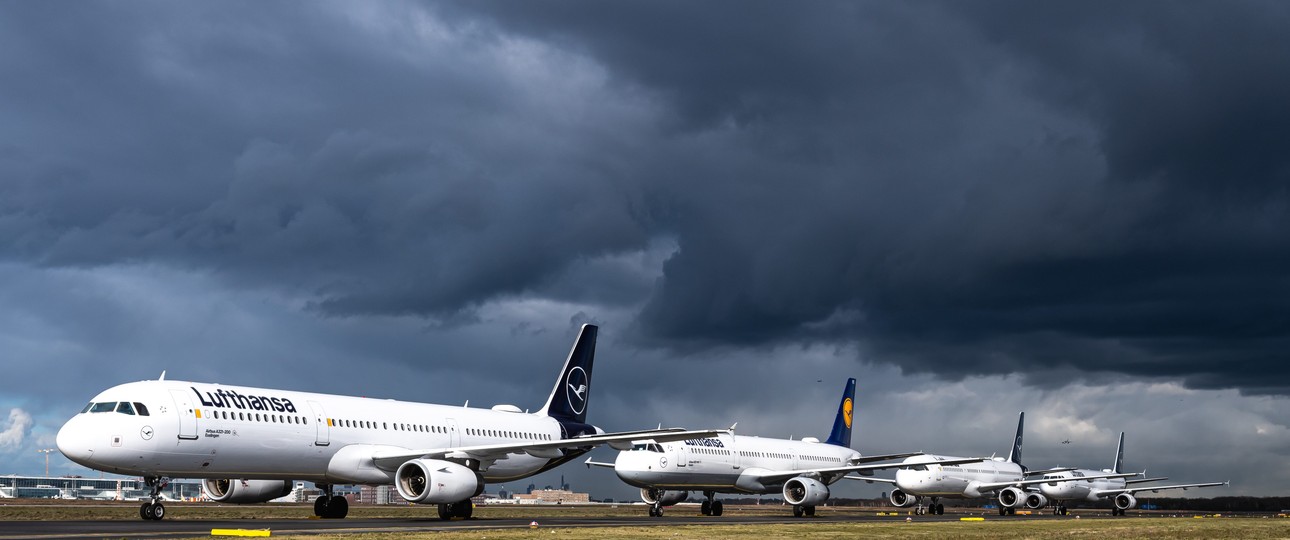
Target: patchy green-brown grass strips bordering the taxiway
(1186, 526)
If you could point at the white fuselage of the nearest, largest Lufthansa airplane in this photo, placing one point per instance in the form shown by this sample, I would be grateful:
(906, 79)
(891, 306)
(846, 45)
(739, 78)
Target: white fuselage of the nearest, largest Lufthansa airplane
(211, 431)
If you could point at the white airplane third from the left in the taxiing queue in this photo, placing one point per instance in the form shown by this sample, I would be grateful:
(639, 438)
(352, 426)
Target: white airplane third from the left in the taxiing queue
(937, 477)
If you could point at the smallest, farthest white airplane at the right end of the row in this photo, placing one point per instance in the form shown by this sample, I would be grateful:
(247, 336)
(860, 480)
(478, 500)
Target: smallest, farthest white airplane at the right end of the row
(1115, 487)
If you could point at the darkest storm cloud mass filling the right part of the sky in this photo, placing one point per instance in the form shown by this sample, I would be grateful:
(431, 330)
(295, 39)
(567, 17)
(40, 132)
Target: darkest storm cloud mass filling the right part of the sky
(972, 188)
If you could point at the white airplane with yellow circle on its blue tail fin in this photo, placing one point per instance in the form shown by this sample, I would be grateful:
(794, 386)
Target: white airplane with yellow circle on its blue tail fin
(740, 465)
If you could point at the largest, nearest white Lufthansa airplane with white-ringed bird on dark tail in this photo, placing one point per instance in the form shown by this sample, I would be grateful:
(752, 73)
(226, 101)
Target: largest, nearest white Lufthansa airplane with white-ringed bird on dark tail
(252, 444)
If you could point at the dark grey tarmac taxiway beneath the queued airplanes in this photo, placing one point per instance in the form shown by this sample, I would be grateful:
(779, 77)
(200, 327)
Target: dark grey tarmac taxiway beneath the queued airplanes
(11, 530)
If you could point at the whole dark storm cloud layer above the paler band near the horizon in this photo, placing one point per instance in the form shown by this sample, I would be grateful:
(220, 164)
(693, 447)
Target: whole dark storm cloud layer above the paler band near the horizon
(957, 189)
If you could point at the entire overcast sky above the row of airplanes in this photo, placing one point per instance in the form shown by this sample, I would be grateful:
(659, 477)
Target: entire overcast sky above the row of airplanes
(1075, 209)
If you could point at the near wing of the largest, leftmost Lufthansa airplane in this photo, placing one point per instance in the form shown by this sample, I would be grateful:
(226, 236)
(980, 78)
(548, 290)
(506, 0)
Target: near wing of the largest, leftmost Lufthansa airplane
(392, 459)
